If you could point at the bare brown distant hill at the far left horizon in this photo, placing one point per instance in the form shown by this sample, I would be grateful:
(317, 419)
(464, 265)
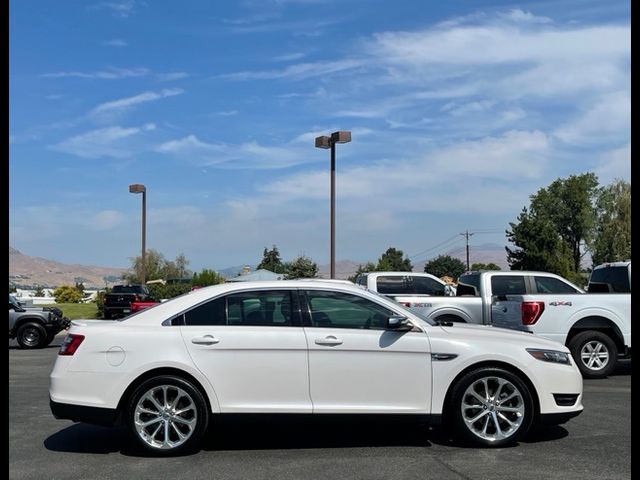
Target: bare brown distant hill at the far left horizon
(27, 271)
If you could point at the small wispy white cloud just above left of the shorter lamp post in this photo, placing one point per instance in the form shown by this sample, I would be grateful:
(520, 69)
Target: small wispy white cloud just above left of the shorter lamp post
(112, 142)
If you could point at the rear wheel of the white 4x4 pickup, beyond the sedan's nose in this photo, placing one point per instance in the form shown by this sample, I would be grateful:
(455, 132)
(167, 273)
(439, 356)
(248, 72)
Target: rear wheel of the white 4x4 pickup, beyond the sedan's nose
(600, 351)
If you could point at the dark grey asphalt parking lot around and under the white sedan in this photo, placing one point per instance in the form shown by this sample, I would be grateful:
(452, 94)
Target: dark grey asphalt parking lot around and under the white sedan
(596, 444)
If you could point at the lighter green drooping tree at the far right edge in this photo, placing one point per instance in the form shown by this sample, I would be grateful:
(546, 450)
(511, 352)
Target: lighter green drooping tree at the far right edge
(612, 236)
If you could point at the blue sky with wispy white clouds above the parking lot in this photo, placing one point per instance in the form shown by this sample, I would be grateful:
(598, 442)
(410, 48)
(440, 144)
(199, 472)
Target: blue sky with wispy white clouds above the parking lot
(458, 111)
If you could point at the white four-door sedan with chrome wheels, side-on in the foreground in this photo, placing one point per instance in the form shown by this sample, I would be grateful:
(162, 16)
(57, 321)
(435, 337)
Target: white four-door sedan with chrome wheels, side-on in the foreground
(305, 347)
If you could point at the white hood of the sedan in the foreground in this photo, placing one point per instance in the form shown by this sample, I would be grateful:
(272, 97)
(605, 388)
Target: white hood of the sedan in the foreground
(468, 332)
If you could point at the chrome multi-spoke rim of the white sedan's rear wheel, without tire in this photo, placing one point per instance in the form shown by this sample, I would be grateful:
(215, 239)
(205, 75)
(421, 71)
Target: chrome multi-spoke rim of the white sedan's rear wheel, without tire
(165, 417)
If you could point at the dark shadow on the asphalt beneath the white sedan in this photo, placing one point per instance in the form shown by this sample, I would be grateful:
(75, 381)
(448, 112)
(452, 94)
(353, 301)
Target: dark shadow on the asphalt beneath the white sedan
(285, 432)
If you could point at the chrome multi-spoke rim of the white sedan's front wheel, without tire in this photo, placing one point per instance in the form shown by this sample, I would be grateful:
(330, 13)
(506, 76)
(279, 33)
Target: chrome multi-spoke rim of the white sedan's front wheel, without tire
(492, 408)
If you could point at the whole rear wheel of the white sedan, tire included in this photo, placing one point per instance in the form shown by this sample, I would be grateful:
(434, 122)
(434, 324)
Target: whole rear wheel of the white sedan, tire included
(167, 415)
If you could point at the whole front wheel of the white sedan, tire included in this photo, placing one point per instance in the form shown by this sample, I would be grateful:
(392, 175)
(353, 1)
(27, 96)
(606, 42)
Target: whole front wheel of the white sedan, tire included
(502, 427)
